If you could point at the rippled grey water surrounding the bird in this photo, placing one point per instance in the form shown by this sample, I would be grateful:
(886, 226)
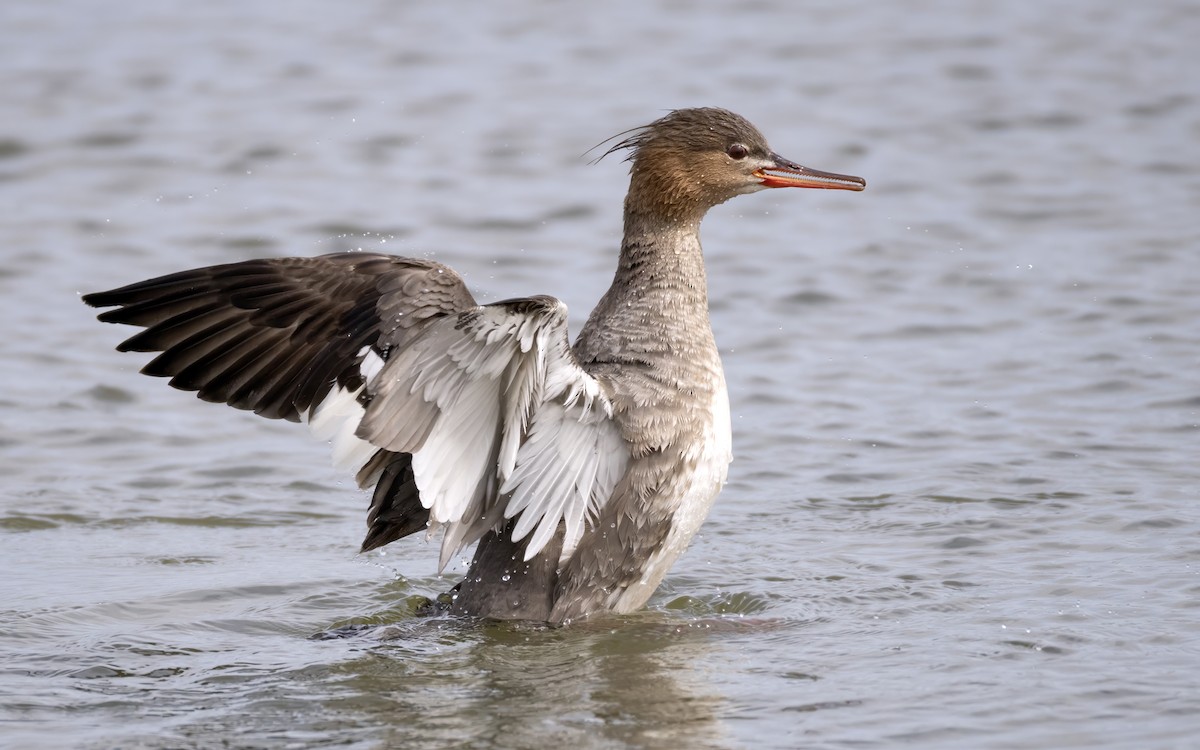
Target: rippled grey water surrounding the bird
(963, 511)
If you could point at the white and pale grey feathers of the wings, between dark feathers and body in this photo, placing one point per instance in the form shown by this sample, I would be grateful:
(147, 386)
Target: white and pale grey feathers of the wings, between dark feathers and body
(500, 418)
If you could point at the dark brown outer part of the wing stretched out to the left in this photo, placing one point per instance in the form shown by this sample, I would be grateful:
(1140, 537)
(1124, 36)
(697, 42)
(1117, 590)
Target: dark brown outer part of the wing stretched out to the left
(274, 337)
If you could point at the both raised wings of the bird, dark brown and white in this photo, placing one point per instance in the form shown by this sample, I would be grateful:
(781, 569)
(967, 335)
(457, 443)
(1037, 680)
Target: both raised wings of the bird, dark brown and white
(460, 415)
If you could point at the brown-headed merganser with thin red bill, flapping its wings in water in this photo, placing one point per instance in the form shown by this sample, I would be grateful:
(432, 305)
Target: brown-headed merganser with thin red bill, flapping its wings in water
(581, 472)
